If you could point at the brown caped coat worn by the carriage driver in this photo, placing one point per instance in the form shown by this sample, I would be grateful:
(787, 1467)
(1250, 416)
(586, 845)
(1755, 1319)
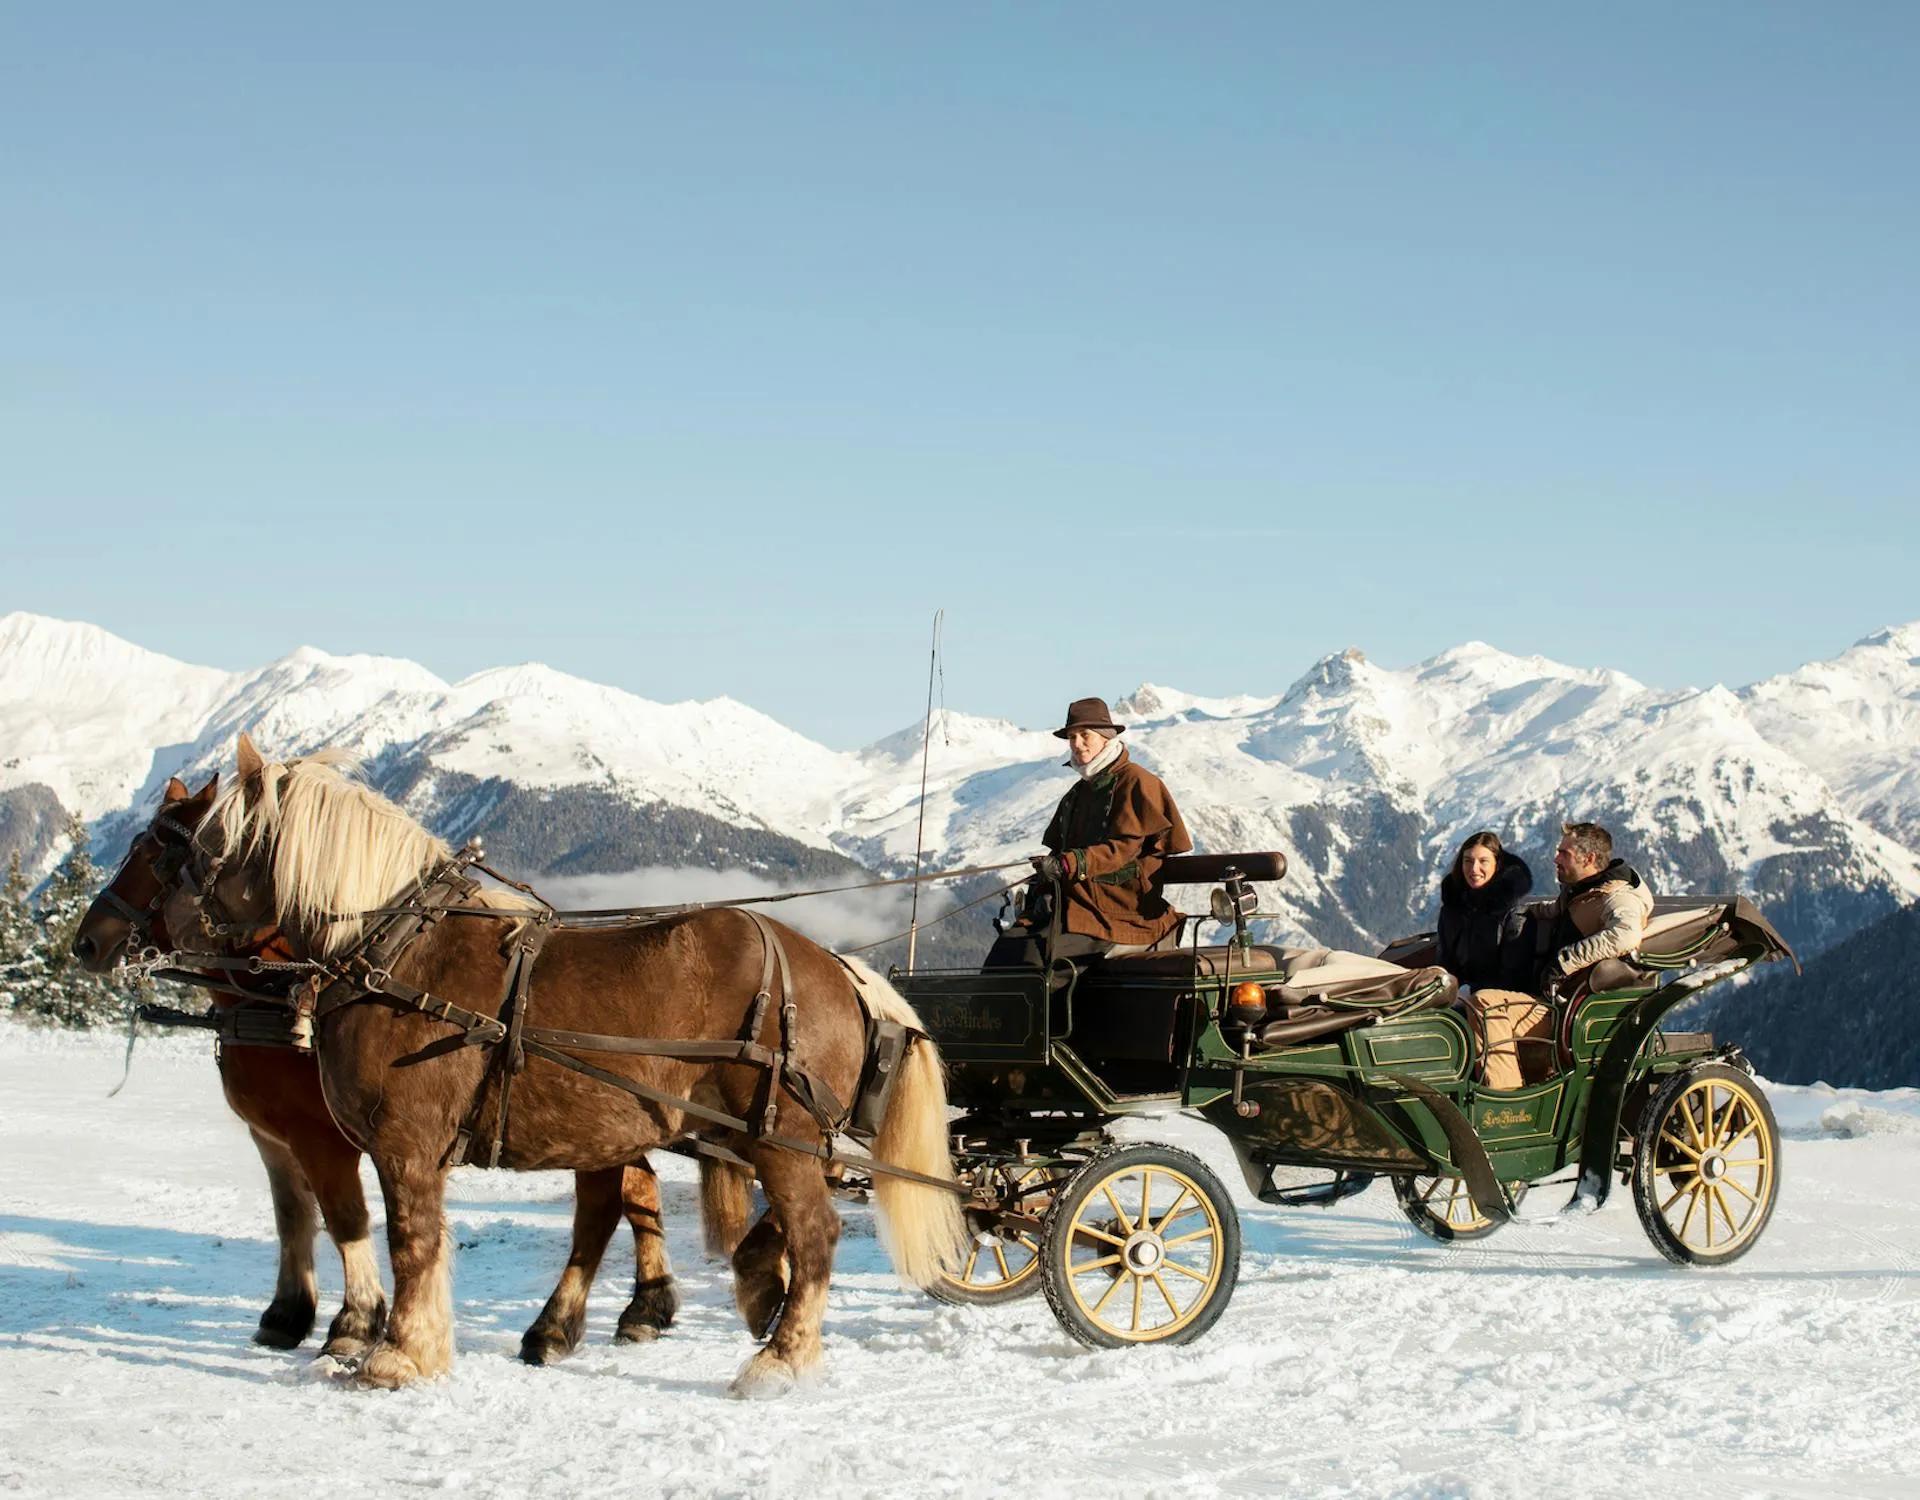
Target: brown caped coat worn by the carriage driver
(1120, 829)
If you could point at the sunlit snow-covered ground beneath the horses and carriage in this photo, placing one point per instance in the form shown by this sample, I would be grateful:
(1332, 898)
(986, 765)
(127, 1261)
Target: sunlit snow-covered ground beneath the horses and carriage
(1356, 1359)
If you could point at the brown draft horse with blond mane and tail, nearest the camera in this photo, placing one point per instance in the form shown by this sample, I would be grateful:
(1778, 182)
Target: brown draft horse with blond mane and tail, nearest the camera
(310, 852)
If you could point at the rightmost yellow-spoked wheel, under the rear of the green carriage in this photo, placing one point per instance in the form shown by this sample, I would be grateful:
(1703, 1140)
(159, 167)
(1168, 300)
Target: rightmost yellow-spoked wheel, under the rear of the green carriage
(1706, 1167)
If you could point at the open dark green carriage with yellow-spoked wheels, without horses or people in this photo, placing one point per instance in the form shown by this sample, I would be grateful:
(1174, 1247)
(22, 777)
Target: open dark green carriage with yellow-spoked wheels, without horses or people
(1351, 1065)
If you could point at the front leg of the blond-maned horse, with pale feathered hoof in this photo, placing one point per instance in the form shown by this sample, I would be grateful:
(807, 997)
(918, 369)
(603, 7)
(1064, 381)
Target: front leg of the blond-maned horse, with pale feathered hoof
(420, 1332)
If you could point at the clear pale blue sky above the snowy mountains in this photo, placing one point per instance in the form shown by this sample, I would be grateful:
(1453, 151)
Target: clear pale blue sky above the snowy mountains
(708, 349)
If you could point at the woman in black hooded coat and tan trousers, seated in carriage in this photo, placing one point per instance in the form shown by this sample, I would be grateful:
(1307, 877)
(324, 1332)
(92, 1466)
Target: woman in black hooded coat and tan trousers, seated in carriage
(1485, 946)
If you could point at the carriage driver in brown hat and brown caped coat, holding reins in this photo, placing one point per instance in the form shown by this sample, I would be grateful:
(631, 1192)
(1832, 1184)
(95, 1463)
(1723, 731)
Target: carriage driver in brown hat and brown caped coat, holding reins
(1107, 844)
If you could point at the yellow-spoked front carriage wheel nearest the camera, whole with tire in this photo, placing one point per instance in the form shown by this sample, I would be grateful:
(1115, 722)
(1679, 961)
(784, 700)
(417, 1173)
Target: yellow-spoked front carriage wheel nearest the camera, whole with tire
(1141, 1247)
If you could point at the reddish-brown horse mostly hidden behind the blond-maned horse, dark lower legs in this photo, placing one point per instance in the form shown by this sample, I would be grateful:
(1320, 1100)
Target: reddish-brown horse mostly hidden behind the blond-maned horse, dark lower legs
(314, 1167)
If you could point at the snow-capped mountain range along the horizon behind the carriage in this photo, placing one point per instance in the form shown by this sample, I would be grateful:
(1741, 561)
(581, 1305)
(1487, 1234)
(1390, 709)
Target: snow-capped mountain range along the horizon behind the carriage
(1802, 790)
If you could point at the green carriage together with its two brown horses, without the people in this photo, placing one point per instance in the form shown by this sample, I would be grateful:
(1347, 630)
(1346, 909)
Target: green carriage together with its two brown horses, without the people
(406, 1000)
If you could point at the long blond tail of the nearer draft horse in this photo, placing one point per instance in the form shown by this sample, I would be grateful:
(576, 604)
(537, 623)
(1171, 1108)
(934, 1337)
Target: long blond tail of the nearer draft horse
(921, 1226)
